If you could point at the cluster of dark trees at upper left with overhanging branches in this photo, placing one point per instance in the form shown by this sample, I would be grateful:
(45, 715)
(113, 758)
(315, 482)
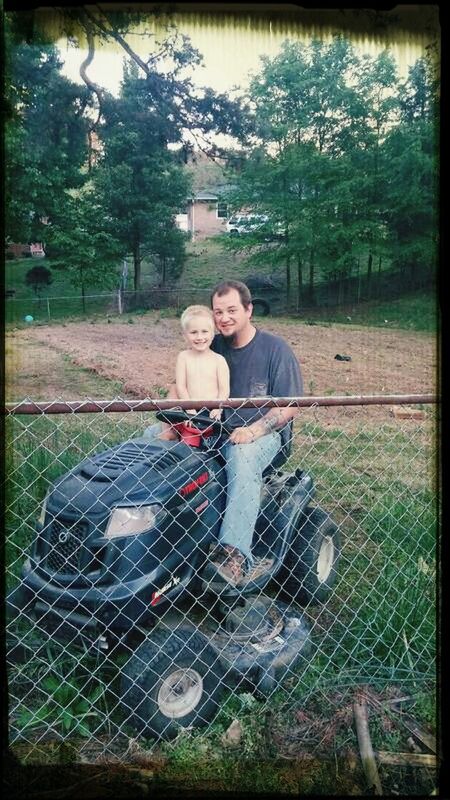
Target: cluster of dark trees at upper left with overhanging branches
(138, 183)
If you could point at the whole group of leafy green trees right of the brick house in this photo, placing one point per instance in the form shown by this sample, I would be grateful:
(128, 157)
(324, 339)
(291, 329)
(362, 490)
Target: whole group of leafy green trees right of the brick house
(344, 164)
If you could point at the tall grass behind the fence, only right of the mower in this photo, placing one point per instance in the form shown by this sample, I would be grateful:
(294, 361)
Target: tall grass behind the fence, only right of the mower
(379, 485)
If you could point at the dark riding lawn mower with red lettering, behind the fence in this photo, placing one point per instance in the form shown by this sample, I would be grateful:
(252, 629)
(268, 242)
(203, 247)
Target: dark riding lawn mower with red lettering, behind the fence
(120, 563)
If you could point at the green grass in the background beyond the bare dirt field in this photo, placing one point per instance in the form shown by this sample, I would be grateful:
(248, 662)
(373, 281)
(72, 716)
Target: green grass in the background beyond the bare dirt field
(208, 261)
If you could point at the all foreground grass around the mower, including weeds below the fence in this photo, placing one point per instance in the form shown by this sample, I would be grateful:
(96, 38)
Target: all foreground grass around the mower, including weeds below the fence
(378, 626)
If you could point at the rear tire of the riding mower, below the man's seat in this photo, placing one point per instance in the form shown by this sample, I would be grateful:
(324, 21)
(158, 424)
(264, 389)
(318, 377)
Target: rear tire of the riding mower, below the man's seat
(310, 567)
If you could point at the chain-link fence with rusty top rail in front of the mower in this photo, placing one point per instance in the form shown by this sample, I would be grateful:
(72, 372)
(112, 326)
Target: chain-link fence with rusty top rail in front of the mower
(116, 631)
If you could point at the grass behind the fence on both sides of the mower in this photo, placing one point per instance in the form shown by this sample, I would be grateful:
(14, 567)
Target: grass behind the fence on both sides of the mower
(382, 615)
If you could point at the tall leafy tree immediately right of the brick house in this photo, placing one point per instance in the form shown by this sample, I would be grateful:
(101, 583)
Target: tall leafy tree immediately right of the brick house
(306, 118)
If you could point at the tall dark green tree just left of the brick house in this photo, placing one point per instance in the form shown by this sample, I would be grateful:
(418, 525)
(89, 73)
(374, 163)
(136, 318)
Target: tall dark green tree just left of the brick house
(139, 183)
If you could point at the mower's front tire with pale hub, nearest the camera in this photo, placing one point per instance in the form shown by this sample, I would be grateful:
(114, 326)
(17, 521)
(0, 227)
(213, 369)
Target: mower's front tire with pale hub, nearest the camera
(172, 681)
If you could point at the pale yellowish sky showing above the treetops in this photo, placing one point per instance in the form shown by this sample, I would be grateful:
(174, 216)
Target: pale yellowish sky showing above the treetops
(232, 51)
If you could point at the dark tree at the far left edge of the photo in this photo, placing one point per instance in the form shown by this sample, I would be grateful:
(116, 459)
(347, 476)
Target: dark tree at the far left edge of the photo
(45, 137)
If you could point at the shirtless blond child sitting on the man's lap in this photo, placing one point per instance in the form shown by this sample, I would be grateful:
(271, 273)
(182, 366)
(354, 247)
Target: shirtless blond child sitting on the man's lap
(200, 373)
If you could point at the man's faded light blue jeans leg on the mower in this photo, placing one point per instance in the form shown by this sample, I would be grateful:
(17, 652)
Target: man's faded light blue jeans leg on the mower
(245, 464)
